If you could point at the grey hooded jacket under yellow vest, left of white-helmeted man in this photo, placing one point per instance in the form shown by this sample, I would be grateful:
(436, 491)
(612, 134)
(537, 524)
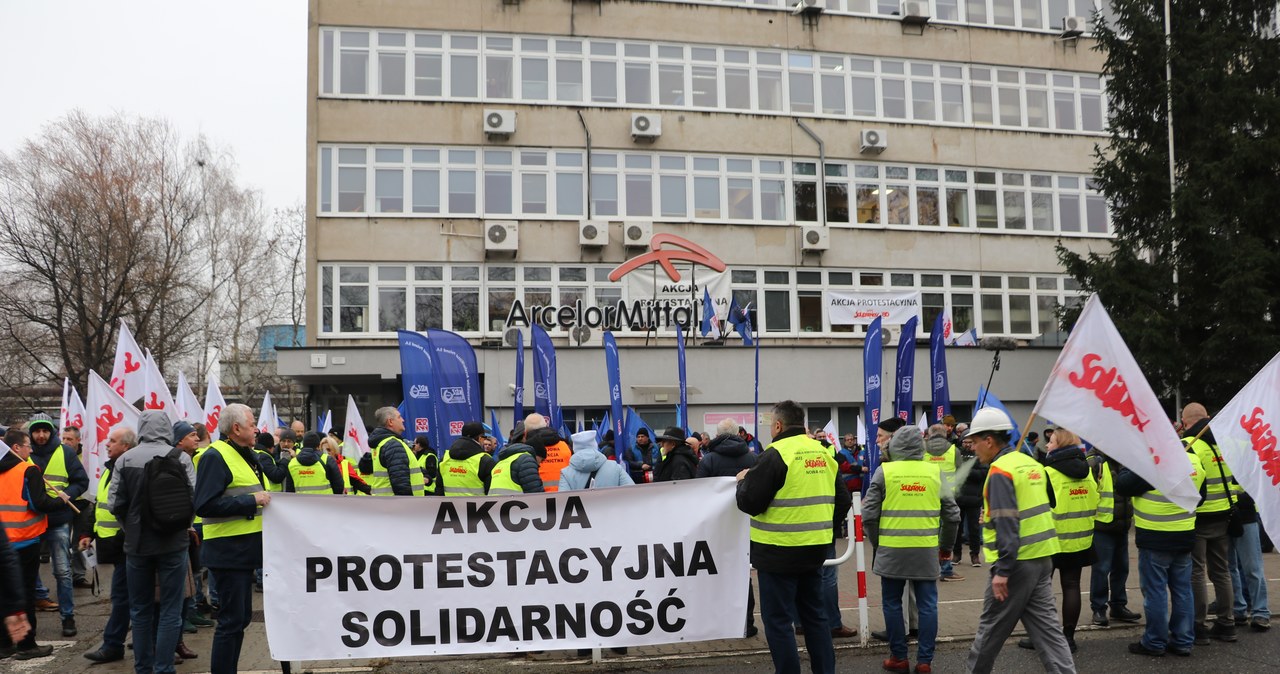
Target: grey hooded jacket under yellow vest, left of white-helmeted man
(908, 563)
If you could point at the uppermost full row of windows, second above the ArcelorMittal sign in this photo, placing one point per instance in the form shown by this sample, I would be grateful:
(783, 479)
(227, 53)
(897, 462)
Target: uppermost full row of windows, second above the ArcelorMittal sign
(534, 70)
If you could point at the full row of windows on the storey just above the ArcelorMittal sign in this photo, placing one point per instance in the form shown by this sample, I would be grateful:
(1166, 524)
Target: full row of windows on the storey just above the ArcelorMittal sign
(550, 185)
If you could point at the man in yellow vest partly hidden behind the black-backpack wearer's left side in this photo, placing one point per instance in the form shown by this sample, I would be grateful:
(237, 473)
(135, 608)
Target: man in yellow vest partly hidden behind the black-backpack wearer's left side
(111, 551)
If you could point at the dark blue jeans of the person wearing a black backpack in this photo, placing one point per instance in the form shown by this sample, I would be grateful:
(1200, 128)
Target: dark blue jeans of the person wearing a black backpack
(157, 632)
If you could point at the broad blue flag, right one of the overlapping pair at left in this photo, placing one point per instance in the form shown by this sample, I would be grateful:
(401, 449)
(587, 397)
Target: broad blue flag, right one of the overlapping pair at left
(459, 386)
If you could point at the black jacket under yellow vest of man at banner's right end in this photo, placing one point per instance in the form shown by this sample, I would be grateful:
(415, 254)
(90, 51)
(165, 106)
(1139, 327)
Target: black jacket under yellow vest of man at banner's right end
(756, 493)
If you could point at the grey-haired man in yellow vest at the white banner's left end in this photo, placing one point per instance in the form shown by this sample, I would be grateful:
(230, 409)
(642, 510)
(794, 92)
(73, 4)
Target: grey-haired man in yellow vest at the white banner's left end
(231, 497)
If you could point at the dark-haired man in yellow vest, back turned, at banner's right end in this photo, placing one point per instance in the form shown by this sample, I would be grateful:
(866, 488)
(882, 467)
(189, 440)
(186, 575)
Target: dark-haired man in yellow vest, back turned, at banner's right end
(793, 501)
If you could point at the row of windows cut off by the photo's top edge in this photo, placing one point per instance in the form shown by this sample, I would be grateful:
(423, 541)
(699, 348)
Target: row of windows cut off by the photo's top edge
(1027, 15)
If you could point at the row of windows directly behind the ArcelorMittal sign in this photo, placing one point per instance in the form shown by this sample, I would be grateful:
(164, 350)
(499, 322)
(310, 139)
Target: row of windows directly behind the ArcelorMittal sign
(360, 300)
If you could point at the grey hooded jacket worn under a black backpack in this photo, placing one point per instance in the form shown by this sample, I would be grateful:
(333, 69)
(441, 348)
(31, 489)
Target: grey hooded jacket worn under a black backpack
(129, 482)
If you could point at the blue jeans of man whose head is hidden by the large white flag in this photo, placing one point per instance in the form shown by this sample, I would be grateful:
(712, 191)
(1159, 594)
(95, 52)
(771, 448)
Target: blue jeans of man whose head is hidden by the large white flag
(1167, 577)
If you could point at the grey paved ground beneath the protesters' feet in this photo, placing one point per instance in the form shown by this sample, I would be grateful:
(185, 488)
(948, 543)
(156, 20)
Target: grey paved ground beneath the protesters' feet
(1101, 649)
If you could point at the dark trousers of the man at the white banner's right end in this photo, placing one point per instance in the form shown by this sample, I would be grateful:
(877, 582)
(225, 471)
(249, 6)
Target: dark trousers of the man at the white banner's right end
(781, 594)
